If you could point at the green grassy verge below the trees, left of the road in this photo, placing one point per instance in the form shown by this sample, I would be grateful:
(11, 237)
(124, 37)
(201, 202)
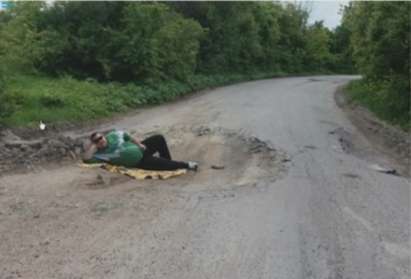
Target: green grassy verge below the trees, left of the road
(29, 99)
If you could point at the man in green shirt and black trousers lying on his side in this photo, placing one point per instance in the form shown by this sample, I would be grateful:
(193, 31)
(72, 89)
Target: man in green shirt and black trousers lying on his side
(119, 148)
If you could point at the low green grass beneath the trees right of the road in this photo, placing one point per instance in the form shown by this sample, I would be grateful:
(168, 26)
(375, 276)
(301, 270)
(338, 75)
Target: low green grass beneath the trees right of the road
(389, 100)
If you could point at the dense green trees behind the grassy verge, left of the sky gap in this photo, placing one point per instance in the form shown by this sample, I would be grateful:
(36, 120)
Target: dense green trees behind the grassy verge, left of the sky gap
(129, 41)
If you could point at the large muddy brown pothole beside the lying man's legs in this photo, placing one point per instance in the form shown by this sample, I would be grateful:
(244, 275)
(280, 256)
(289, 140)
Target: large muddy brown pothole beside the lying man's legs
(226, 158)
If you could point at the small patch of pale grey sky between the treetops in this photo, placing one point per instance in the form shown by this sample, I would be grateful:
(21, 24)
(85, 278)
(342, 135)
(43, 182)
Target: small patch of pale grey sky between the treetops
(328, 11)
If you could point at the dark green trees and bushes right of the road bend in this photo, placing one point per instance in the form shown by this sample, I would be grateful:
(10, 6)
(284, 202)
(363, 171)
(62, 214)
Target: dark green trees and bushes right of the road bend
(380, 45)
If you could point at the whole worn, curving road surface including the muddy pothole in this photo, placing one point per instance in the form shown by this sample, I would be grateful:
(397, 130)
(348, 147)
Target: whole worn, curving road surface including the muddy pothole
(297, 197)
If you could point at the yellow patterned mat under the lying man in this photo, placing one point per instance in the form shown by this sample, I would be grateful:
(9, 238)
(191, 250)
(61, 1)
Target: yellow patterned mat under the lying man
(137, 173)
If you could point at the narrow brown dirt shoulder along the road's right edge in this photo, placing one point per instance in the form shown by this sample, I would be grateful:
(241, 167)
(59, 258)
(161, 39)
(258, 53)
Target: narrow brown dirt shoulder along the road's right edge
(389, 140)
